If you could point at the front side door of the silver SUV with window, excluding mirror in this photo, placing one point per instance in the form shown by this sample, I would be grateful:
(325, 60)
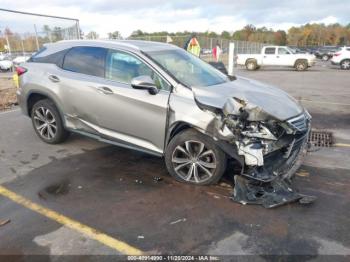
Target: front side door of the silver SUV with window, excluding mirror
(130, 115)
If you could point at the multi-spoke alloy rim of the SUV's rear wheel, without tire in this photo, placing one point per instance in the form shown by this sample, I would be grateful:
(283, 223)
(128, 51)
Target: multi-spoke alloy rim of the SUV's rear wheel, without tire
(45, 123)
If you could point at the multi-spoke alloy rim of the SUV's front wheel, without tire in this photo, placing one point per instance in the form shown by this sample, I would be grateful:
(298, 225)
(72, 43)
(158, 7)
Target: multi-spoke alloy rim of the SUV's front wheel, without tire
(193, 162)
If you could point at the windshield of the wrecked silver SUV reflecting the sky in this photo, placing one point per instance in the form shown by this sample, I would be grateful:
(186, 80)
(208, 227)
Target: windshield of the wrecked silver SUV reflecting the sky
(188, 69)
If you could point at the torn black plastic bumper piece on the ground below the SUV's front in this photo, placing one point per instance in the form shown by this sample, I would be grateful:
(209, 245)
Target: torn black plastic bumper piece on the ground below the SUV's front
(270, 194)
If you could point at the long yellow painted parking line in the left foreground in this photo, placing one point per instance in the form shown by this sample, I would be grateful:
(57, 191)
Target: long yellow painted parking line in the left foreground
(118, 245)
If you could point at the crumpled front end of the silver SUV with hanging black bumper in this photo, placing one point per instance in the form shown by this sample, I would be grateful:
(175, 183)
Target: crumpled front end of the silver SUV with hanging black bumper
(268, 149)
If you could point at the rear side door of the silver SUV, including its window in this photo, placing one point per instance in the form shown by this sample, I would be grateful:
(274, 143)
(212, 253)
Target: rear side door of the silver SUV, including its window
(83, 68)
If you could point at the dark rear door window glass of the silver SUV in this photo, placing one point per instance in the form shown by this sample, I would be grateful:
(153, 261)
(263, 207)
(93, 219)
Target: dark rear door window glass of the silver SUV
(86, 60)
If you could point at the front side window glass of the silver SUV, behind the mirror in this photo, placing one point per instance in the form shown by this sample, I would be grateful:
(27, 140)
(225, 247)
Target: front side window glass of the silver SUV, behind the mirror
(123, 67)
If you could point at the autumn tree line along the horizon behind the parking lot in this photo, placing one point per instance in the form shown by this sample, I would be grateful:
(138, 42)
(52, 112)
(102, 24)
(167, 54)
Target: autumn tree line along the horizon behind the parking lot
(305, 35)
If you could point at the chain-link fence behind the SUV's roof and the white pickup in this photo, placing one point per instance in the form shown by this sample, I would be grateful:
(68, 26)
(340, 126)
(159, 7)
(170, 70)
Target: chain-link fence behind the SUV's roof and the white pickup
(207, 44)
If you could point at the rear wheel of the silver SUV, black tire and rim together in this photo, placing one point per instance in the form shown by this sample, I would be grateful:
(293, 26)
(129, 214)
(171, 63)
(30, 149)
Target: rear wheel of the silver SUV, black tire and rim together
(47, 122)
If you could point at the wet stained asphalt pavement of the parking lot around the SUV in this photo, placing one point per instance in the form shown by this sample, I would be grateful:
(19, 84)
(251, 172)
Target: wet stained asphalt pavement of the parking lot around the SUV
(84, 197)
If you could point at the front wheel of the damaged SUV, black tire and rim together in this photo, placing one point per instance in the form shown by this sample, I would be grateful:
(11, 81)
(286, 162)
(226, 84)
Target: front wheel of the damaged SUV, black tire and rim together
(193, 158)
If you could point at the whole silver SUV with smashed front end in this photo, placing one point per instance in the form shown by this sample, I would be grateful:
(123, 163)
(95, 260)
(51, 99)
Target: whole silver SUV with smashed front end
(159, 99)
